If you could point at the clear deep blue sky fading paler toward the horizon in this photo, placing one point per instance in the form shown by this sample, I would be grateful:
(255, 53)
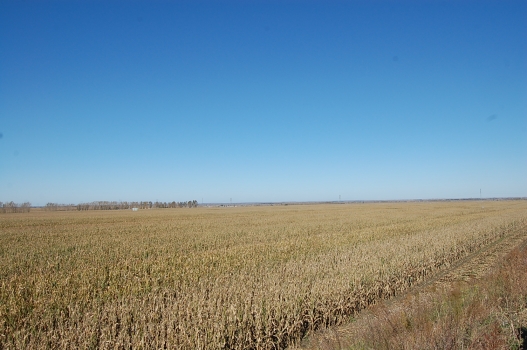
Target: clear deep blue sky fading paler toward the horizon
(262, 100)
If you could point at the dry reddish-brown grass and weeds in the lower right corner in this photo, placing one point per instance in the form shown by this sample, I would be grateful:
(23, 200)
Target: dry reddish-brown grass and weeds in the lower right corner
(483, 313)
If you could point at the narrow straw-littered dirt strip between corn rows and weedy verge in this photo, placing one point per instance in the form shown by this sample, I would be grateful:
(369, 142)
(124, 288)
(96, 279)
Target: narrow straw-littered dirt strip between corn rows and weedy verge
(473, 266)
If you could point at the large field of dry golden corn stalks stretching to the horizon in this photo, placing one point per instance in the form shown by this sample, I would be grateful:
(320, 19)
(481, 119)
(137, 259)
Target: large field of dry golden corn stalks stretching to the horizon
(224, 278)
